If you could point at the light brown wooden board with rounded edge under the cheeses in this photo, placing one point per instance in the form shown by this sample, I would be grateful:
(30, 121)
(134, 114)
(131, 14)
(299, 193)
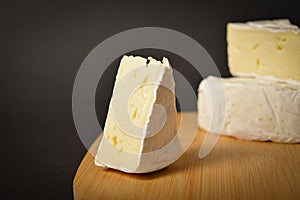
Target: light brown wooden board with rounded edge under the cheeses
(234, 169)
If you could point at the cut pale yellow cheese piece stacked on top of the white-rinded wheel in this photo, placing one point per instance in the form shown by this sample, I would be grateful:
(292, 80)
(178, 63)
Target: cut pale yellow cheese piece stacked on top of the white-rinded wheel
(268, 48)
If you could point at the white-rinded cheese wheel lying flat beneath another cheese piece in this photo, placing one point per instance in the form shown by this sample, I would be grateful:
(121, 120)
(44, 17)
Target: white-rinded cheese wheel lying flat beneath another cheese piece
(255, 109)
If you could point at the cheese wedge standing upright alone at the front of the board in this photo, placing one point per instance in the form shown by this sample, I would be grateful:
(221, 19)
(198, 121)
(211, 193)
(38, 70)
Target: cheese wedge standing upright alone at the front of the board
(140, 128)
